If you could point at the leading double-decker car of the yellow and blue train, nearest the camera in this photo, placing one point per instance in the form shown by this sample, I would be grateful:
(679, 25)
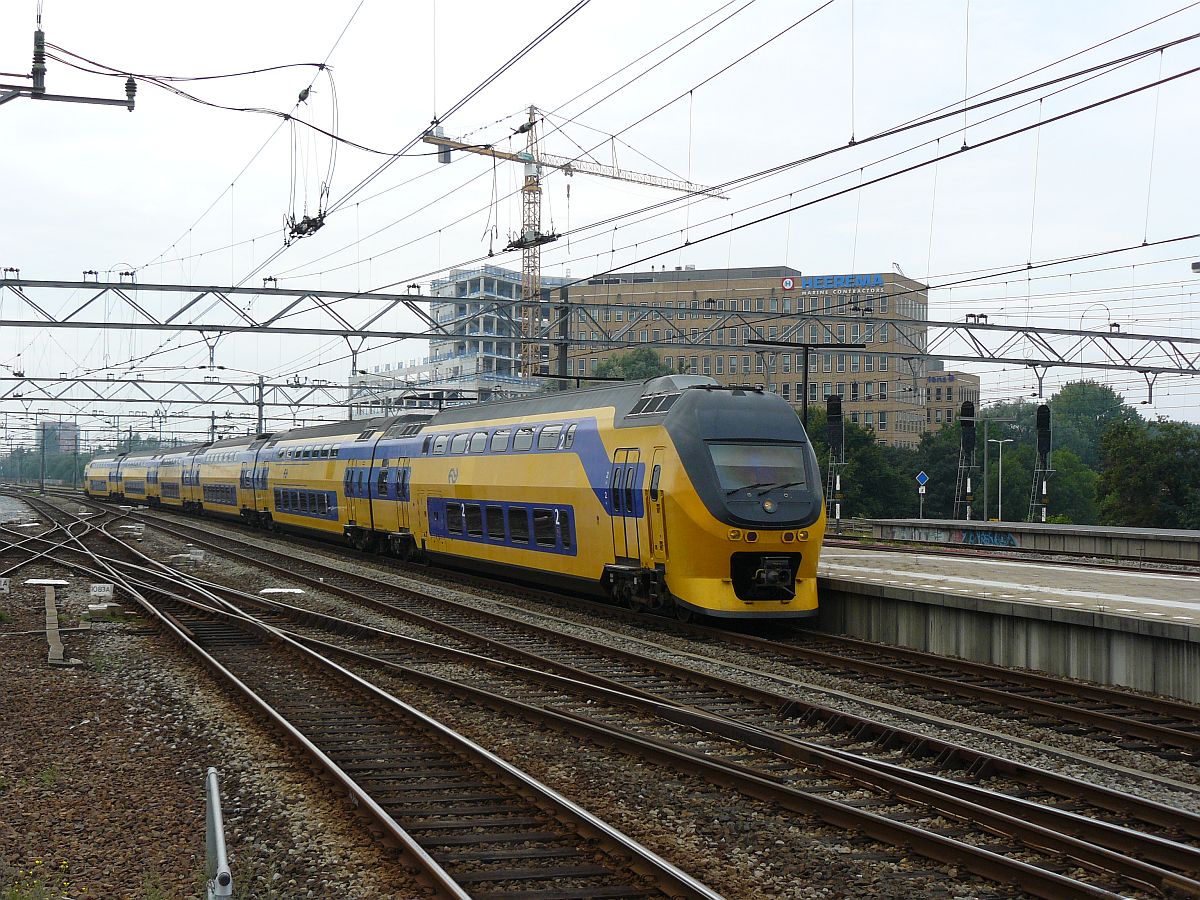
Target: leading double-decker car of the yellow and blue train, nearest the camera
(675, 495)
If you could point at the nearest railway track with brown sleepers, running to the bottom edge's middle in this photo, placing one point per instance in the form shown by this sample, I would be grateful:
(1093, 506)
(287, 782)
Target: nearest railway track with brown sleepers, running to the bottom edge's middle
(470, 823)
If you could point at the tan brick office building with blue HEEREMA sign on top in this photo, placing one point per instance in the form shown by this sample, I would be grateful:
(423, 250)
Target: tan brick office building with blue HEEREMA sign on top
(722, 314)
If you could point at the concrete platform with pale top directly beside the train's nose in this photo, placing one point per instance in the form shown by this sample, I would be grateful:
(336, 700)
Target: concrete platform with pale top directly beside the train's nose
(1136, 629)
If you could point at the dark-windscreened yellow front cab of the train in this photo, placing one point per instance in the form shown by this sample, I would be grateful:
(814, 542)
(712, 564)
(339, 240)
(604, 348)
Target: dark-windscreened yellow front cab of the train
(734, 511)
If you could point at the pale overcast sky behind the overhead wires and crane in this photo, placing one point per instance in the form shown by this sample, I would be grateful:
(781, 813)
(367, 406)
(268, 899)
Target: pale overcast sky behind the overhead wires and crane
(170, 188)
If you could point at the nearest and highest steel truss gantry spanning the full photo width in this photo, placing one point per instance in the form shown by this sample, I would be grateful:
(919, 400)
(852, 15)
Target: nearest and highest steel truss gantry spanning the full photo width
(213, 313)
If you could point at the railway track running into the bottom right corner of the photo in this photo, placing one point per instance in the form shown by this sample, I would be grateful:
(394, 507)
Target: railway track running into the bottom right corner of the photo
(700, 745)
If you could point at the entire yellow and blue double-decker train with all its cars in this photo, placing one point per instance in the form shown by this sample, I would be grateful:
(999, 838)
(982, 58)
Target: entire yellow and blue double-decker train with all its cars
(676, 494)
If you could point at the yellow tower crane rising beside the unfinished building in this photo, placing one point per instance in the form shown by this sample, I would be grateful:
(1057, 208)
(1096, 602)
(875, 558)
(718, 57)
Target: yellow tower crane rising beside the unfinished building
(535, 356)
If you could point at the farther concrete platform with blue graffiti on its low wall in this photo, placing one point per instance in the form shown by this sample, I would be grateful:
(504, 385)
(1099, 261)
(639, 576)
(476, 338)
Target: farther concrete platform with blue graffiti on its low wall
(1099, 541)
